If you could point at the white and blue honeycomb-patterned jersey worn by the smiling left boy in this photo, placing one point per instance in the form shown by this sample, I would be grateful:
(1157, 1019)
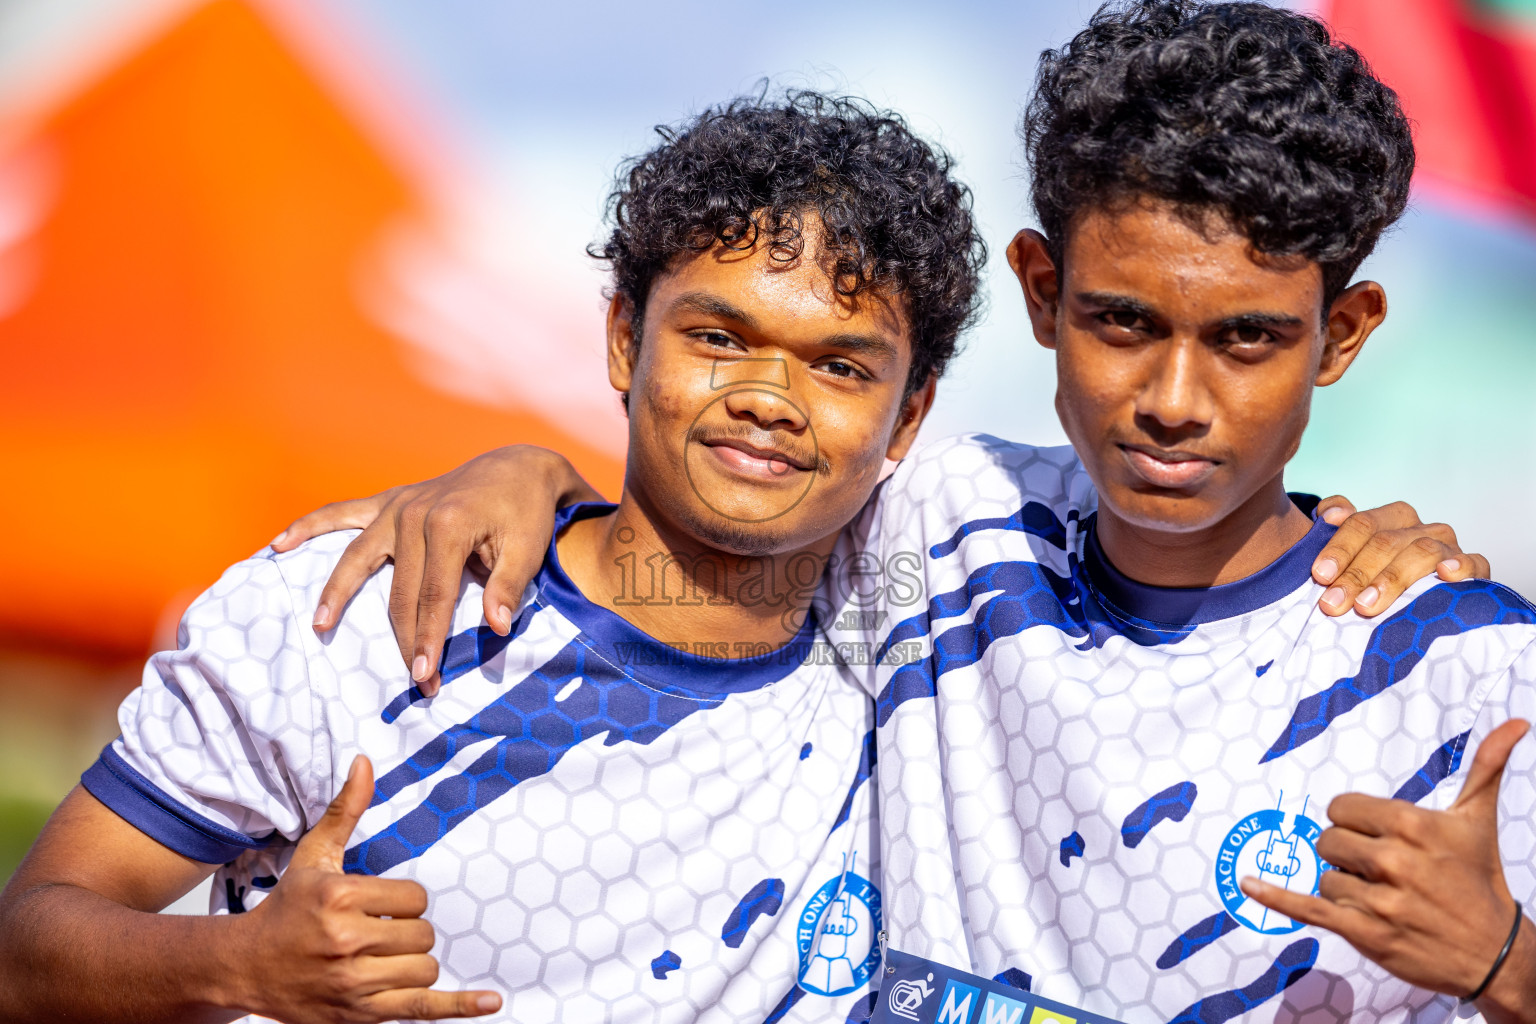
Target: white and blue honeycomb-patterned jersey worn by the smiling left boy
(607, 828)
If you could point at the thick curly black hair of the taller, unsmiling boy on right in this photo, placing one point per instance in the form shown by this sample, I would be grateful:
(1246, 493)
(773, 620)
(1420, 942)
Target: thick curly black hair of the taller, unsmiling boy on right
(1243, 110)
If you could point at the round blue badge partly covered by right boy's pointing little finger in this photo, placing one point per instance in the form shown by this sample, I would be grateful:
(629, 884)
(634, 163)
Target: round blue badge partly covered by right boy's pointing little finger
(1277, 848)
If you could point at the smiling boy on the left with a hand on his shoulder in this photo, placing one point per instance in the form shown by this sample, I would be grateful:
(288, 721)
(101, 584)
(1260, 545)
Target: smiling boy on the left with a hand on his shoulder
(598, 825)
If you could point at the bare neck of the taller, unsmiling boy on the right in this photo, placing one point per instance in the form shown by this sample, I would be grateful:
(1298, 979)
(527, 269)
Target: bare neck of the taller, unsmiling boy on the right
(1256, 533)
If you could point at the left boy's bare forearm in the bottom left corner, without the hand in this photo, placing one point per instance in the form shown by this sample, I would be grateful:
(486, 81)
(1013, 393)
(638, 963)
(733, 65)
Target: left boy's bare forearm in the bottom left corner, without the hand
(71, 954)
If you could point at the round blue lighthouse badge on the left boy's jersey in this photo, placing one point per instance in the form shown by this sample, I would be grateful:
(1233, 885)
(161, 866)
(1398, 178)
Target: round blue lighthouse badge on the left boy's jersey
(838, 936)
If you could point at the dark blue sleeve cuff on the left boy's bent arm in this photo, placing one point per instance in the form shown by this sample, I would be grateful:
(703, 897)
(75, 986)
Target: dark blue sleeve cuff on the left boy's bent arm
(162, 819)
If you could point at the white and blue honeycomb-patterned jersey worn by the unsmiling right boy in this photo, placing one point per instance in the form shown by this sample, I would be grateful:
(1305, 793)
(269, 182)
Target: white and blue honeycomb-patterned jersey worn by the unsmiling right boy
(1078, 770)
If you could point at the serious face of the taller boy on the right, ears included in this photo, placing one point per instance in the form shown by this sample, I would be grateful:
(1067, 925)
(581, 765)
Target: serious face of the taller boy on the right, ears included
(1185, 360)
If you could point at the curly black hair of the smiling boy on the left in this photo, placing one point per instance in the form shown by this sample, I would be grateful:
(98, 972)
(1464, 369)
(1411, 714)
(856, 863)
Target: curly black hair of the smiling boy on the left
(893, 217)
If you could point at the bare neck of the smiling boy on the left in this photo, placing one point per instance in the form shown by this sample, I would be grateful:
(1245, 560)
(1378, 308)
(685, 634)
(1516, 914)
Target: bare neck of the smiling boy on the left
(681, 590)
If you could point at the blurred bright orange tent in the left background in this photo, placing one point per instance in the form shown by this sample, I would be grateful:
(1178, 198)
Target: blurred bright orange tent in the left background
(187, 365)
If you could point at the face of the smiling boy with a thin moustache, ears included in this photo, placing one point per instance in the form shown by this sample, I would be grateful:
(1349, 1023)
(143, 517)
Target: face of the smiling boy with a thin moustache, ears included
(763, 405)
